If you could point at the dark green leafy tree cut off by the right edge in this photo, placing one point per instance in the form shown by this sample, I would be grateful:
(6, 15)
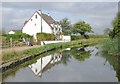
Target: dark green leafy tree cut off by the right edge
(116, 27)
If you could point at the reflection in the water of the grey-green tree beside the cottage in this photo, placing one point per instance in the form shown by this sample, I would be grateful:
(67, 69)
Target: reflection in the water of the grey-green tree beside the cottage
(66, 55)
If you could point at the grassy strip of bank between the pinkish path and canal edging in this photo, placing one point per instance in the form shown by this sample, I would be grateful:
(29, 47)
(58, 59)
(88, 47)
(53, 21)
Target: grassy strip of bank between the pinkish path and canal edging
(17, 55)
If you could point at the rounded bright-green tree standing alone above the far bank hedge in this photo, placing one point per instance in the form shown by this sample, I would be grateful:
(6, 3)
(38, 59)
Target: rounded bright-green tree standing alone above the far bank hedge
(81, 27)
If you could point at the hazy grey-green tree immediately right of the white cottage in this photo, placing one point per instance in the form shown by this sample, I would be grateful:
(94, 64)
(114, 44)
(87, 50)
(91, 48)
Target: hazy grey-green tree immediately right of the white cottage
(66, 26)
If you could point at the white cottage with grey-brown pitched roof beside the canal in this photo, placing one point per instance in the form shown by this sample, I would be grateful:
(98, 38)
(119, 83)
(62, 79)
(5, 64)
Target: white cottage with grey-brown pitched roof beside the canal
(40, 22)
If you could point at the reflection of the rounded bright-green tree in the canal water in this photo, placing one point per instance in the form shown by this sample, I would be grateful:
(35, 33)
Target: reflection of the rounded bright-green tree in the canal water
(80, 54)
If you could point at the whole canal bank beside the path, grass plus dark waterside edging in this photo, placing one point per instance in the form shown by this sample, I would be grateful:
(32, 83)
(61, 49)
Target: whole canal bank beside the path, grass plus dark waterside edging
(12, 59)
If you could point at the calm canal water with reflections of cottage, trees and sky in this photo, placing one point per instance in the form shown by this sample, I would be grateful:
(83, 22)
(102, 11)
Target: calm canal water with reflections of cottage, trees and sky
(73, 64)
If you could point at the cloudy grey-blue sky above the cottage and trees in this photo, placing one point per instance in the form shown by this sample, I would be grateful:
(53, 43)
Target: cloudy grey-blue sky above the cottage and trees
(98, 14)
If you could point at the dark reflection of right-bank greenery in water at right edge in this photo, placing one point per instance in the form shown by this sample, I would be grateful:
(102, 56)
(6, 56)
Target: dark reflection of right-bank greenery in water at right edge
(113, 61)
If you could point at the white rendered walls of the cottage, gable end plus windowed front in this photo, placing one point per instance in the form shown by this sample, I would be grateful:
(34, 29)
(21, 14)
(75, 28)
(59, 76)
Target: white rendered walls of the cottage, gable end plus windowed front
(31, 29)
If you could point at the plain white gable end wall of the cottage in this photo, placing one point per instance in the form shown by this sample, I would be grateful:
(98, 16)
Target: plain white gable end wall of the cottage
(32, 30)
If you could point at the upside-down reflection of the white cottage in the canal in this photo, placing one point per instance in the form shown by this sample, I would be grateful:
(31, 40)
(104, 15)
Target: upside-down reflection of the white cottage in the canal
(45, 63)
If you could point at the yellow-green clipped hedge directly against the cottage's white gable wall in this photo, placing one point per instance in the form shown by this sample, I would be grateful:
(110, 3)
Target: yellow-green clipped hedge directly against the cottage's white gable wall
(45, 37)
